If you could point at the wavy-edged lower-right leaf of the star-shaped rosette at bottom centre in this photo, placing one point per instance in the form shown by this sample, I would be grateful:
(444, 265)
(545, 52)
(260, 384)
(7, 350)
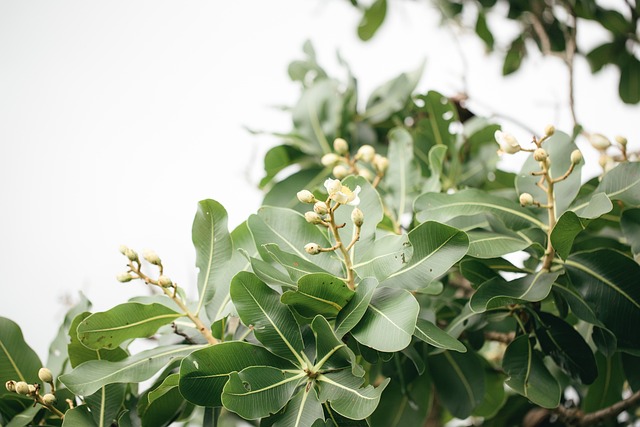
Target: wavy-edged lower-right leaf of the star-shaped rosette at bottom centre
(343, 392)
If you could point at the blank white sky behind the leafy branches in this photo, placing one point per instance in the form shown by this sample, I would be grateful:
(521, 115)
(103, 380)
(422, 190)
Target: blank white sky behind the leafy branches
(117, 117)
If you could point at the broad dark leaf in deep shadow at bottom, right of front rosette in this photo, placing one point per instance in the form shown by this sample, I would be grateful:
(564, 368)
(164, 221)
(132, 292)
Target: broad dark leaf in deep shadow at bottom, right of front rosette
(458, 381)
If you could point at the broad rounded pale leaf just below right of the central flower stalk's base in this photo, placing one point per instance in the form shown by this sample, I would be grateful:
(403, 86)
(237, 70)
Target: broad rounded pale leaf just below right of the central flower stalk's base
(389, 322)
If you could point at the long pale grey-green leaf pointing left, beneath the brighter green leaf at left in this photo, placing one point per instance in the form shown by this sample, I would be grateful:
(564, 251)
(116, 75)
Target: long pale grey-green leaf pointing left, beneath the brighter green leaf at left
(88, 377)
